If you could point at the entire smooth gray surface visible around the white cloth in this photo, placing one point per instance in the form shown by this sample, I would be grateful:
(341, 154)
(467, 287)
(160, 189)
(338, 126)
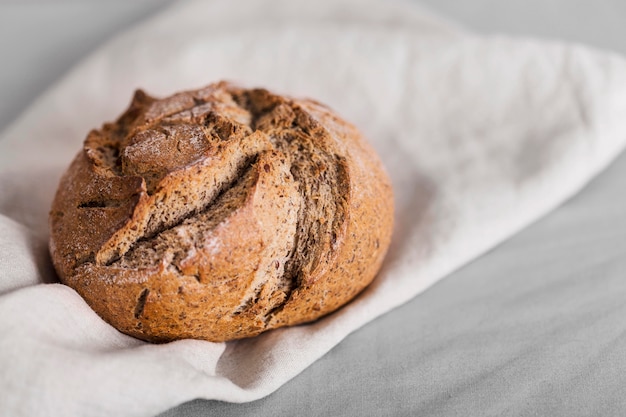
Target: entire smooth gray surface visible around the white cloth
(533, 328)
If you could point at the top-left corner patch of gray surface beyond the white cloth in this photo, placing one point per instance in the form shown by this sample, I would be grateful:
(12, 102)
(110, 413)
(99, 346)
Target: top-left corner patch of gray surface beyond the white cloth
(41, 40)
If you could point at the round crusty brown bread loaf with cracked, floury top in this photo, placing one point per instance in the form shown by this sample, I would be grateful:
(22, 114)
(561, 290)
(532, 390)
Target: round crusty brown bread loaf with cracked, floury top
(220, 213)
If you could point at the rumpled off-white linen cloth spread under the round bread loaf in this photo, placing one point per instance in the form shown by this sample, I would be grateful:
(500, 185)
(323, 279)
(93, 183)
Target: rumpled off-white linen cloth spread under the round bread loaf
(481, 136)
